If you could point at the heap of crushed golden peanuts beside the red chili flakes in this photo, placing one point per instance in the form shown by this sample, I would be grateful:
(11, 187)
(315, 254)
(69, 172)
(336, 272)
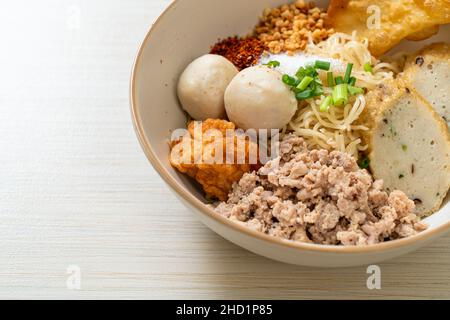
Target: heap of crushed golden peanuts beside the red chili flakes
(287, 28)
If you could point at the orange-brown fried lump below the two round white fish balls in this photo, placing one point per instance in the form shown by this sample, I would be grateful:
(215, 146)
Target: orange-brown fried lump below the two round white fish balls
(203, 156)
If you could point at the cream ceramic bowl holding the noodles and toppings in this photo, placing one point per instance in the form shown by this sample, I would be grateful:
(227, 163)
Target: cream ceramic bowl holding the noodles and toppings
(185, 31)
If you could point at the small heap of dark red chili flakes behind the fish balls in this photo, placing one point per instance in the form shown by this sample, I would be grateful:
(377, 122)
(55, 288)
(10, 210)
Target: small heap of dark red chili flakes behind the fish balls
(243, 53)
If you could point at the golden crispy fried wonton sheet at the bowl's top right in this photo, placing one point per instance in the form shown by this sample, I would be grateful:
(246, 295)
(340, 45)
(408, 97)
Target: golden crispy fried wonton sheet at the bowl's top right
(399, 19)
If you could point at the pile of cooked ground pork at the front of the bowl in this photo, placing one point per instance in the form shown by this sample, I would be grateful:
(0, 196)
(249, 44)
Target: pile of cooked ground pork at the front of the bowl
(317, 196)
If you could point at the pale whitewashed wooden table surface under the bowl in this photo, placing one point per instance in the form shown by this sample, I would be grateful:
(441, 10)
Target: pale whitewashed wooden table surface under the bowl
(76, 191)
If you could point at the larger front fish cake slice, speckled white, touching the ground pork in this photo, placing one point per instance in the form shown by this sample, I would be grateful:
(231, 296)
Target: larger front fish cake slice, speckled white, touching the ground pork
(409, 146)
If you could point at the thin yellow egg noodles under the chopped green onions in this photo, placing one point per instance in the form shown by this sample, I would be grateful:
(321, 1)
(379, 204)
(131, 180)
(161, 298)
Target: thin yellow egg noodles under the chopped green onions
(337, 128)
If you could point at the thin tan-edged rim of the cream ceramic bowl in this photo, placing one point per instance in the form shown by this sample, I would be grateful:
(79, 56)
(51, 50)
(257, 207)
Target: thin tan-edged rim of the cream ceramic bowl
(205, 210)
